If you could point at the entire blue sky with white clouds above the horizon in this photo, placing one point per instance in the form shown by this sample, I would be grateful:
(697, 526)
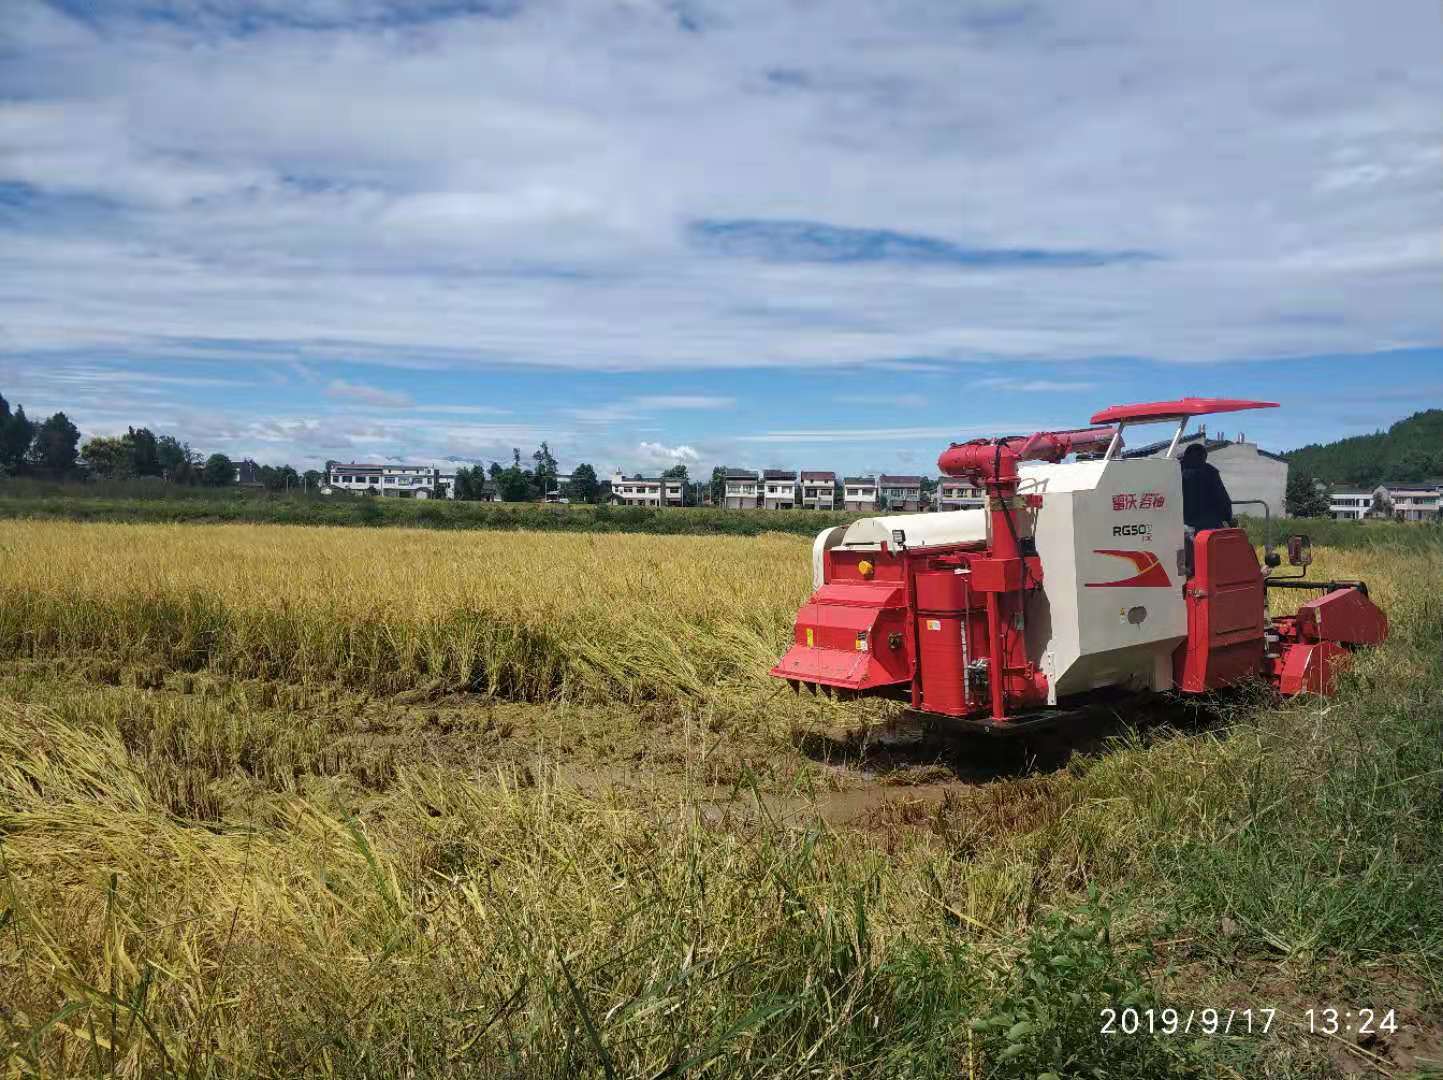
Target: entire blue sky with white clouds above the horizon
(783, 235)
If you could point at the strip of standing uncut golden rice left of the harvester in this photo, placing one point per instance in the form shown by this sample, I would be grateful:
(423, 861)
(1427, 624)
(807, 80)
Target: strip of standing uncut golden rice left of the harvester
(526, 616)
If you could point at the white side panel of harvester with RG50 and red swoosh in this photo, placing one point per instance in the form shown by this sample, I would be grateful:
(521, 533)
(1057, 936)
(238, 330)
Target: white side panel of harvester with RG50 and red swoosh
(1110, 536)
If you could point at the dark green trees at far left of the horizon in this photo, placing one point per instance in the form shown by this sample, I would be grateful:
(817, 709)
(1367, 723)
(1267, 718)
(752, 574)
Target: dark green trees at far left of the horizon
(53, 450)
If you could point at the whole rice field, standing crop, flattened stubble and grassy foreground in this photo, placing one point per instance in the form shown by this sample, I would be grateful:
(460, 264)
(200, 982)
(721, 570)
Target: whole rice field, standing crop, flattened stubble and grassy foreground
(330, 802)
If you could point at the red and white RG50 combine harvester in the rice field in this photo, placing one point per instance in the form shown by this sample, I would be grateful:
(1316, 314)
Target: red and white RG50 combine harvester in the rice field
(1077, 578)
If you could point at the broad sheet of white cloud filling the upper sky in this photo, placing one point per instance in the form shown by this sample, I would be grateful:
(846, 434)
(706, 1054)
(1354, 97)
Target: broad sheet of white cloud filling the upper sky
(275, 187)
